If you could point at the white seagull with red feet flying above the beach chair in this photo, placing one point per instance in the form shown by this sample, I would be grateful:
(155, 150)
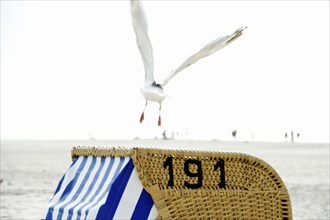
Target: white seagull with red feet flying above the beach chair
(152, 91)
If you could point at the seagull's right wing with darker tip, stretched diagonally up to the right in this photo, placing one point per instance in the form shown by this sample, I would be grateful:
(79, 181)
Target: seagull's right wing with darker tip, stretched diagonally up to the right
(207, 50)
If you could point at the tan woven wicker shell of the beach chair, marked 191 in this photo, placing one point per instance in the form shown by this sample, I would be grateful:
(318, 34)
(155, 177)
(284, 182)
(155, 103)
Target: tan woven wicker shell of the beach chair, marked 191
(188, 184)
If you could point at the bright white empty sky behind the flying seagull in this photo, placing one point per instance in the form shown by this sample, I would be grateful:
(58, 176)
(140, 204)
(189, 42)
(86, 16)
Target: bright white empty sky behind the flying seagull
(70, 68)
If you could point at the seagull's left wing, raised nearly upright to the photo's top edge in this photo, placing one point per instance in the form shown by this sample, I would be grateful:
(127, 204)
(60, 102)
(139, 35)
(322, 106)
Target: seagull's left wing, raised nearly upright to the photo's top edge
(140, 27)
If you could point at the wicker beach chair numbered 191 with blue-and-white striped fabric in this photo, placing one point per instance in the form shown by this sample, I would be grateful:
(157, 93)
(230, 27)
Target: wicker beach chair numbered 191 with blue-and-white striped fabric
(145, 183)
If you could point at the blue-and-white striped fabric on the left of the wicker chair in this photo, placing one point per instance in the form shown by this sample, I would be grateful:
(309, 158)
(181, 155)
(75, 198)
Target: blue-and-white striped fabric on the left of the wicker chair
(101, 188)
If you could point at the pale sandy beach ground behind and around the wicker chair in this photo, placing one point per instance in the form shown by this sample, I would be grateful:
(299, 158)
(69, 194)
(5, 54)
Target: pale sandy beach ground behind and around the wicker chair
(31, 170)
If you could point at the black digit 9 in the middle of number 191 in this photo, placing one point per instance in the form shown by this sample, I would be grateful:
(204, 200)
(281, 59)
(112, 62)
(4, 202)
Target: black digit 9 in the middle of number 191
(199, 174)
